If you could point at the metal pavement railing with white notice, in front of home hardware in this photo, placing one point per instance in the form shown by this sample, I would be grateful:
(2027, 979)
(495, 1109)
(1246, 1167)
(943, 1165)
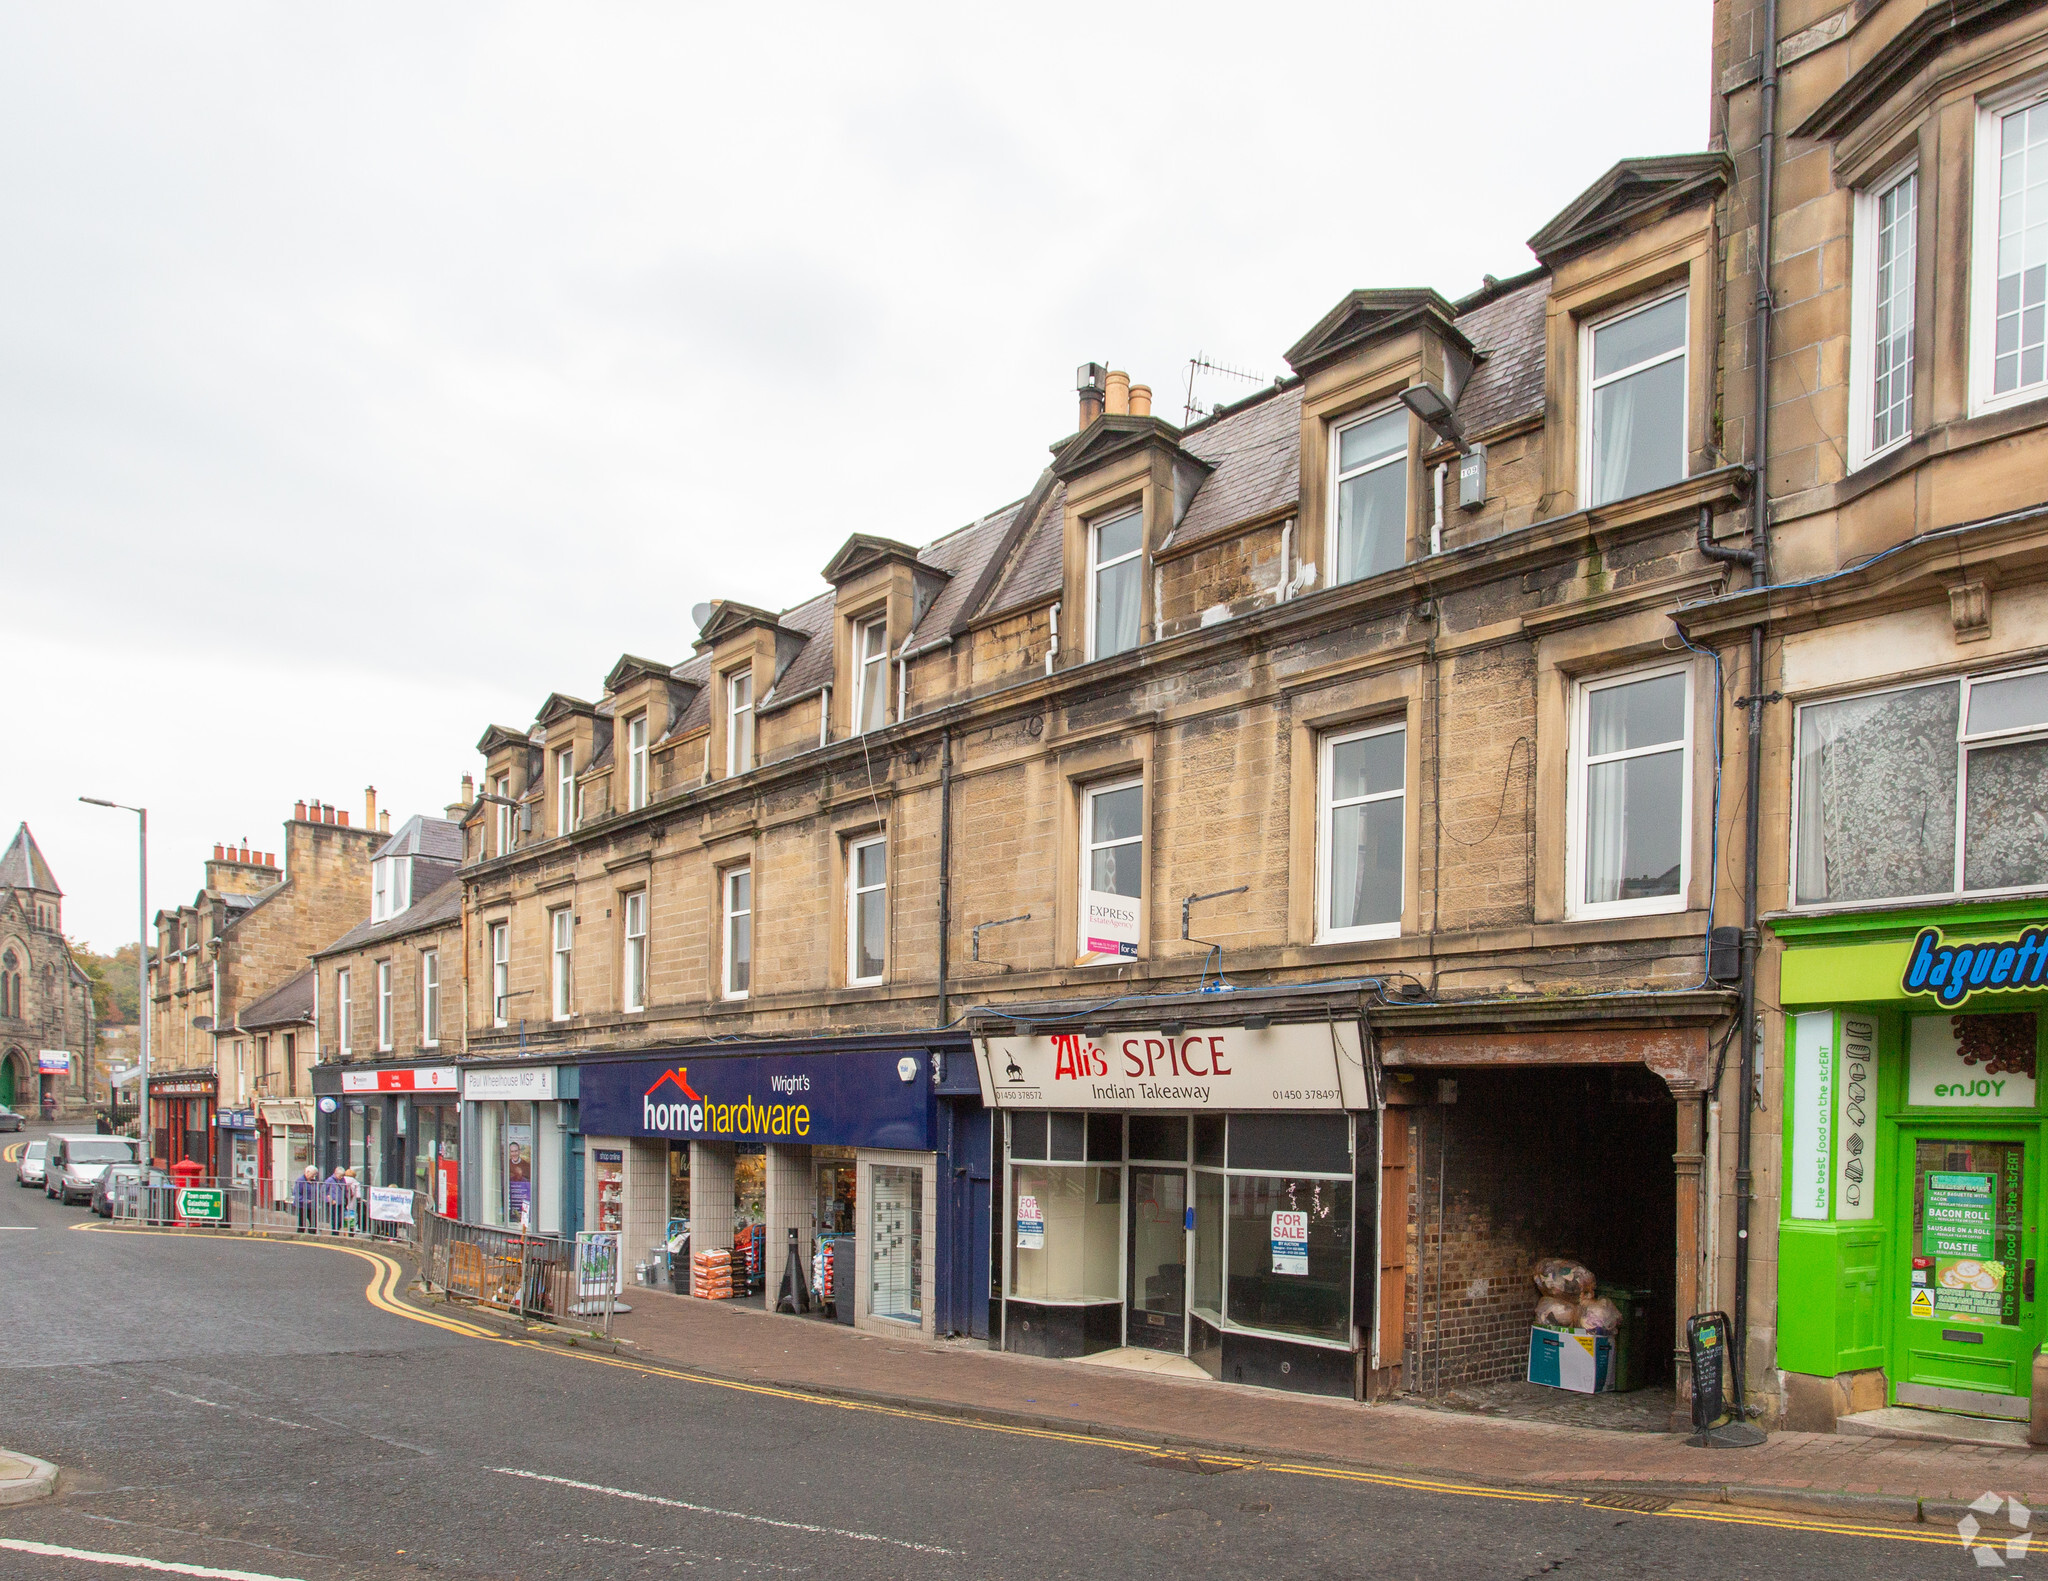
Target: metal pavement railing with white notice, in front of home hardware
(536, 1277)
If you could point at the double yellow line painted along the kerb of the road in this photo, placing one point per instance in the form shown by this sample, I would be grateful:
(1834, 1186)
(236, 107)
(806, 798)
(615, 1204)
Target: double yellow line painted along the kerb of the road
(384, 1295)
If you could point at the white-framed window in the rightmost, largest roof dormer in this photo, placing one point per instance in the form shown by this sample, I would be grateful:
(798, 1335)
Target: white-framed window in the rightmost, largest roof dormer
(1635, 396)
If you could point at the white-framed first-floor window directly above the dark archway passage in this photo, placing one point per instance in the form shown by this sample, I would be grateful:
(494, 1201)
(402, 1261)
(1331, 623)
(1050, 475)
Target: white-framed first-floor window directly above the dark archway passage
(1633, 763)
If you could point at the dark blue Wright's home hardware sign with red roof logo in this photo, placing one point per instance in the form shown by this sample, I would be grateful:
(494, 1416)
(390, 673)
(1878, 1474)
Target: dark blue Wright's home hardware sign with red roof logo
(859, 1099)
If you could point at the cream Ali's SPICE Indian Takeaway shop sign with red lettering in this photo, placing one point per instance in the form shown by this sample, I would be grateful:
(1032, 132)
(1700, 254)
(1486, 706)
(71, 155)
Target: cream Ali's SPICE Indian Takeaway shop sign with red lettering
(1218, 1068)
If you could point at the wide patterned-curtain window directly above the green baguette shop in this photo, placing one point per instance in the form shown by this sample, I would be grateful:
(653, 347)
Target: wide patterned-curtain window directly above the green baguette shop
(1883, 781)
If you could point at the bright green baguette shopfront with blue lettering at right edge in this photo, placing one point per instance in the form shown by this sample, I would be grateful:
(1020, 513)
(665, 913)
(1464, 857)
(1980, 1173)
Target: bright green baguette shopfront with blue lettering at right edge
(1912, 1224)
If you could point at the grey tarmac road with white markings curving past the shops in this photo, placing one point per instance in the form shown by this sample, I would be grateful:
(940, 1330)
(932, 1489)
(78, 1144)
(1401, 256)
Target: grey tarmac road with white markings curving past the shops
(259, 1410)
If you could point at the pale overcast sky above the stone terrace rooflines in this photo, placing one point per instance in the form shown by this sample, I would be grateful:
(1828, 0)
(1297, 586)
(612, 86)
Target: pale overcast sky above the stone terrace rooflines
(370, 372)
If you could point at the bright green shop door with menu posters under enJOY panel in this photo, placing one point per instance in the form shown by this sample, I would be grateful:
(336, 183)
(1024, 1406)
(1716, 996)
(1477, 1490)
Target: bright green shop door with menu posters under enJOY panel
(1965, 1281)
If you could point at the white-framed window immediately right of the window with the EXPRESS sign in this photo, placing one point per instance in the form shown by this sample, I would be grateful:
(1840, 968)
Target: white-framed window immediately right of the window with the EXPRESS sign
(1365, 814)
